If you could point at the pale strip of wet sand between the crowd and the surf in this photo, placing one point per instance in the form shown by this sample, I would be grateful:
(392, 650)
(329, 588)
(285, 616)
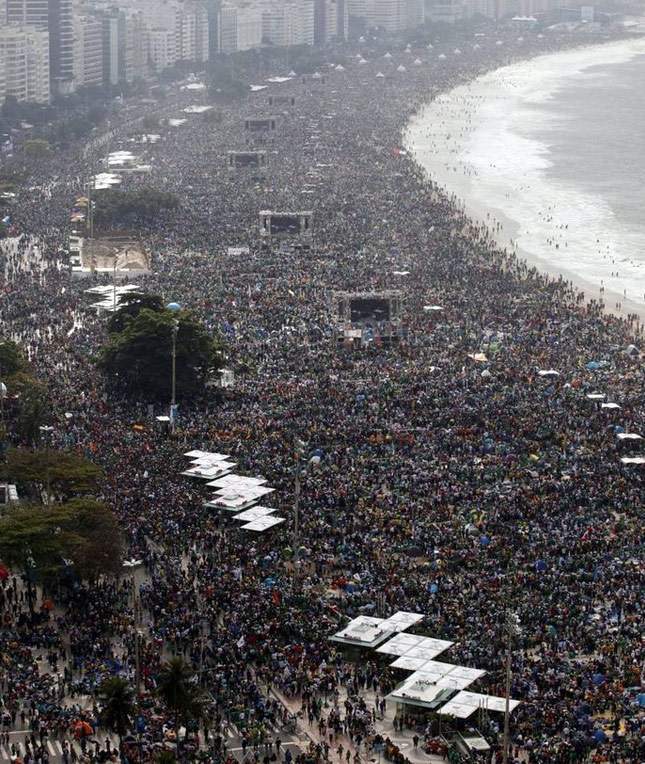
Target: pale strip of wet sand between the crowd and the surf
(460, 190)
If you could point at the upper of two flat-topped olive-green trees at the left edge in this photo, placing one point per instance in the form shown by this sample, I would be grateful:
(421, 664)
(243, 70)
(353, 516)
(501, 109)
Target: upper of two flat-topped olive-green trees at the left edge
(66, 473)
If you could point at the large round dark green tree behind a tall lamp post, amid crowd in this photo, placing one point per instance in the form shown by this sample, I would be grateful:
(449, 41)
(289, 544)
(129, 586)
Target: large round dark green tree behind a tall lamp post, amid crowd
(138, 360)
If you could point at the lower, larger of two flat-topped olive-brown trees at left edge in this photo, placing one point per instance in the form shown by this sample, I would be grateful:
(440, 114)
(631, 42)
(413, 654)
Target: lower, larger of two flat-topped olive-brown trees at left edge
(82, 531)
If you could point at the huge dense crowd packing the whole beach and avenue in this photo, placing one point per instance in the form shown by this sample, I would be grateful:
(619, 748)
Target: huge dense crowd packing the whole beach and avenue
(459, 434)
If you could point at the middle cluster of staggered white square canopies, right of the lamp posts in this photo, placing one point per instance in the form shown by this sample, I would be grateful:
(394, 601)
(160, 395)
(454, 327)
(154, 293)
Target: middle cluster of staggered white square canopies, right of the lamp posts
(233, 493)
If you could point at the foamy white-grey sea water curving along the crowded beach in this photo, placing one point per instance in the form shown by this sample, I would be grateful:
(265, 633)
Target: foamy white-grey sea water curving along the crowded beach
(551, 153)
